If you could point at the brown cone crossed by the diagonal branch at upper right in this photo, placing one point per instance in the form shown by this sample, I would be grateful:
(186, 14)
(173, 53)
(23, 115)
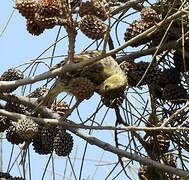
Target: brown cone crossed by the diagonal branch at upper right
(137, 27)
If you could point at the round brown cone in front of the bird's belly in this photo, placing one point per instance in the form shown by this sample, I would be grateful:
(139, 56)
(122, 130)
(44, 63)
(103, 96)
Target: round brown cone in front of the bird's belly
(81, 88)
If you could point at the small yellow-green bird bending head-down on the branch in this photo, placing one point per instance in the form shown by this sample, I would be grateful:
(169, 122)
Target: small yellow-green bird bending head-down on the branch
(103, 76)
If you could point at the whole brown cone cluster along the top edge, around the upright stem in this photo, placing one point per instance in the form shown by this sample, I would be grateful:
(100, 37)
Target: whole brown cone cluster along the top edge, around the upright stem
(44, 14)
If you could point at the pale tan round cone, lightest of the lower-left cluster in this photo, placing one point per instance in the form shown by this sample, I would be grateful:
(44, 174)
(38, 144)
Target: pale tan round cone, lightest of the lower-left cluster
(26, 129)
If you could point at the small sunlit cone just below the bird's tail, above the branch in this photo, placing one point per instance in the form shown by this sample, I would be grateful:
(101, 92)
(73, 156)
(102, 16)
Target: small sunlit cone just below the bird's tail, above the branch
(60, 107)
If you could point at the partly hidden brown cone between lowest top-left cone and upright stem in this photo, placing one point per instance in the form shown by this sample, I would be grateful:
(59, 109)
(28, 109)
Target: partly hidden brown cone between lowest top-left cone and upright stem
(45, 22)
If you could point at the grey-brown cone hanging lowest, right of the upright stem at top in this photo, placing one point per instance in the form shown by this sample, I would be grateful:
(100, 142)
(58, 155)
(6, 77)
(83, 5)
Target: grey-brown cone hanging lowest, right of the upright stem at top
(92, 27)
